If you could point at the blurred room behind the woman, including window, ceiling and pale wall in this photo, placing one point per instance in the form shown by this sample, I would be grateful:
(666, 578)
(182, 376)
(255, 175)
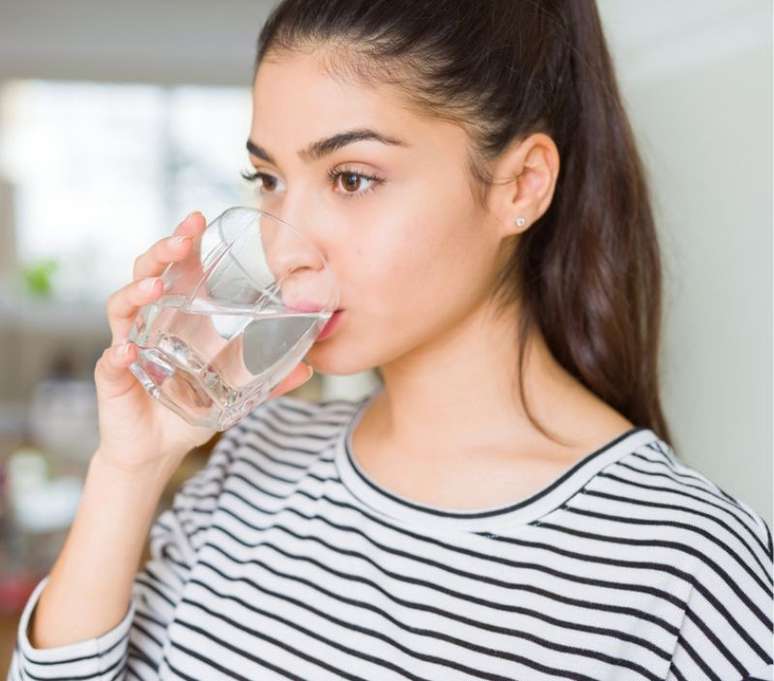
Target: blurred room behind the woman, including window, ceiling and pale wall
(117, 119)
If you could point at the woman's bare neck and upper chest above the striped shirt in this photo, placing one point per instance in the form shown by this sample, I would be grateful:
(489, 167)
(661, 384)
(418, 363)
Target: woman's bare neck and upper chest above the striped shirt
(454, 406)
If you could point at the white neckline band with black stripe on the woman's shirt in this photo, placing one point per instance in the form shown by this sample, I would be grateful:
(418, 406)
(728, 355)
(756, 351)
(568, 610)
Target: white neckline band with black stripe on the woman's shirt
(429, 518)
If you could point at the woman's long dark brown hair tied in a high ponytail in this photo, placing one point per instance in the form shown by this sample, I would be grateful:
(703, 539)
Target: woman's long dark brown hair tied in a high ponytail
(588, 273)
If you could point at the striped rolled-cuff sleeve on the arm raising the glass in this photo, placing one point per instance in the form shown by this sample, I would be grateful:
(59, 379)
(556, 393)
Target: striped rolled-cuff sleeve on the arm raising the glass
(134, 648)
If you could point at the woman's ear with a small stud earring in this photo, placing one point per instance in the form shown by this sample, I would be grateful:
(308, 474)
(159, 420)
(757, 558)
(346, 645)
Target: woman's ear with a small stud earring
(525, 178)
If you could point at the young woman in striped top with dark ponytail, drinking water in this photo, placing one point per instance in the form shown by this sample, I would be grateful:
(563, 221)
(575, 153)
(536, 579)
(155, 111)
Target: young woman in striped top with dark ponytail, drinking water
(507, 504)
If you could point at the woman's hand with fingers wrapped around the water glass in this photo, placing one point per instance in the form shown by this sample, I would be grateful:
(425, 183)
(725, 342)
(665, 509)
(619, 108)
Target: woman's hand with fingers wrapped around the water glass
(137, 432)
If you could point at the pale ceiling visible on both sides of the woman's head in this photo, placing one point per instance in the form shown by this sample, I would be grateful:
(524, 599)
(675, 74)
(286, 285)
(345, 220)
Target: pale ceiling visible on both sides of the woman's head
(189, 41)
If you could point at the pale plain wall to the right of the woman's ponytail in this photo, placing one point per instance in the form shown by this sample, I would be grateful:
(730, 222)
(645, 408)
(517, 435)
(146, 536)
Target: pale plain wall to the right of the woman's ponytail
(697, 77)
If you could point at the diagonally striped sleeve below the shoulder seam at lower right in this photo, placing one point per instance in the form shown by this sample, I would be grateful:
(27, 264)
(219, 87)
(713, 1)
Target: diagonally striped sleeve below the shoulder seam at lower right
(726, 632)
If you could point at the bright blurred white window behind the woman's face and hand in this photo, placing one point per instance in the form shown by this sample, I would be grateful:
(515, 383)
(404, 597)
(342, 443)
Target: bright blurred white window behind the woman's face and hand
(97, 172)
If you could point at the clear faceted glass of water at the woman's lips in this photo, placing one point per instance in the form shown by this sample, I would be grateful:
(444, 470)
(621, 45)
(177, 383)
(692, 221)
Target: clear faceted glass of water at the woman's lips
(236, 316)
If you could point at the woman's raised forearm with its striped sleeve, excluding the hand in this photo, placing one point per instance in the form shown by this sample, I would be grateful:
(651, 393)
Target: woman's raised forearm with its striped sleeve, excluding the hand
(141, 608)
